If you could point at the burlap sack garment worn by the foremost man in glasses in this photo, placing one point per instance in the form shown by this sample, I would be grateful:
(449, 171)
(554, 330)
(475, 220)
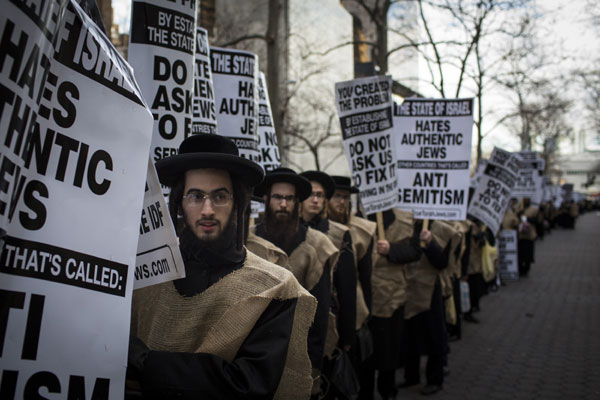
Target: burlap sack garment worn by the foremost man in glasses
(218, 320)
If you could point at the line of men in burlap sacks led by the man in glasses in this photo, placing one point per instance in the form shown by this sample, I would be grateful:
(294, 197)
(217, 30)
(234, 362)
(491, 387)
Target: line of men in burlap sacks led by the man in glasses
(299, 304)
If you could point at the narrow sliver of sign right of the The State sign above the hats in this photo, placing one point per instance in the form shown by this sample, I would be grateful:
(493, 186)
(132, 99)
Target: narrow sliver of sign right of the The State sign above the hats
(269, 157)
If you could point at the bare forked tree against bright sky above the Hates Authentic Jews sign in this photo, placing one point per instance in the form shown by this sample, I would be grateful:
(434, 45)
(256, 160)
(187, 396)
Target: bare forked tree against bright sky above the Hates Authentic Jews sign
(458, 46)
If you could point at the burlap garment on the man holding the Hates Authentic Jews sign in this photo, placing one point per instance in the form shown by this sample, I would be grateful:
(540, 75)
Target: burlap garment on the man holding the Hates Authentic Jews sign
(421, 275)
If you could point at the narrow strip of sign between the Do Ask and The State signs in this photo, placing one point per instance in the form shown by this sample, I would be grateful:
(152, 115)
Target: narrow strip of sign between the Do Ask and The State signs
(204, 115)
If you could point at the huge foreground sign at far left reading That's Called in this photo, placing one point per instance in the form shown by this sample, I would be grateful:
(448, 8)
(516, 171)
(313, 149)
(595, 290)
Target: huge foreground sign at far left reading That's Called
(71, 196)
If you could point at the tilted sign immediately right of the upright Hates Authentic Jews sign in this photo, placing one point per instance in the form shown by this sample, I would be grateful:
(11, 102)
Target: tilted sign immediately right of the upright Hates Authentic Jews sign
(491, 197)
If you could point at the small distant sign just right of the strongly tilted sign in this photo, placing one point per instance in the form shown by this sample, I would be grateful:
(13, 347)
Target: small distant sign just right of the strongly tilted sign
(530, 177)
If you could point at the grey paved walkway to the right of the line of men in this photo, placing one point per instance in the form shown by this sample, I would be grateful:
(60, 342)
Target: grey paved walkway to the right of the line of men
(539, 337)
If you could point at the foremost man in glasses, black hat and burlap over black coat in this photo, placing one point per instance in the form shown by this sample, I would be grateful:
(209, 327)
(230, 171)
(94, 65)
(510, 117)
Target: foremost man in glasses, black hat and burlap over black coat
(236, 326)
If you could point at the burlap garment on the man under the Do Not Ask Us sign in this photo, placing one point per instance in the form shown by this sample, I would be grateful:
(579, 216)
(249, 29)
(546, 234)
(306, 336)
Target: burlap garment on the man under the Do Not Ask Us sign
(388, 280)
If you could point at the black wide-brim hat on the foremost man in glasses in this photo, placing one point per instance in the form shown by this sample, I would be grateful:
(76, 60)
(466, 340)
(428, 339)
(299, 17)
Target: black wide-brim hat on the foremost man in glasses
(208, 151)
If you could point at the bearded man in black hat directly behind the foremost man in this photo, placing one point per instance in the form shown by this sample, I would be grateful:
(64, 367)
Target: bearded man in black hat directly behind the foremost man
(311, 254)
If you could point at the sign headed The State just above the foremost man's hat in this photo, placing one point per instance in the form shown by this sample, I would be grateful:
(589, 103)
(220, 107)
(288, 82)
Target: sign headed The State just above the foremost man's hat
(235, 79)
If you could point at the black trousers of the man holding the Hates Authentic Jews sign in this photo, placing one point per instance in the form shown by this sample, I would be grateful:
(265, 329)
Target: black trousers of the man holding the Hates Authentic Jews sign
(426, 334)
